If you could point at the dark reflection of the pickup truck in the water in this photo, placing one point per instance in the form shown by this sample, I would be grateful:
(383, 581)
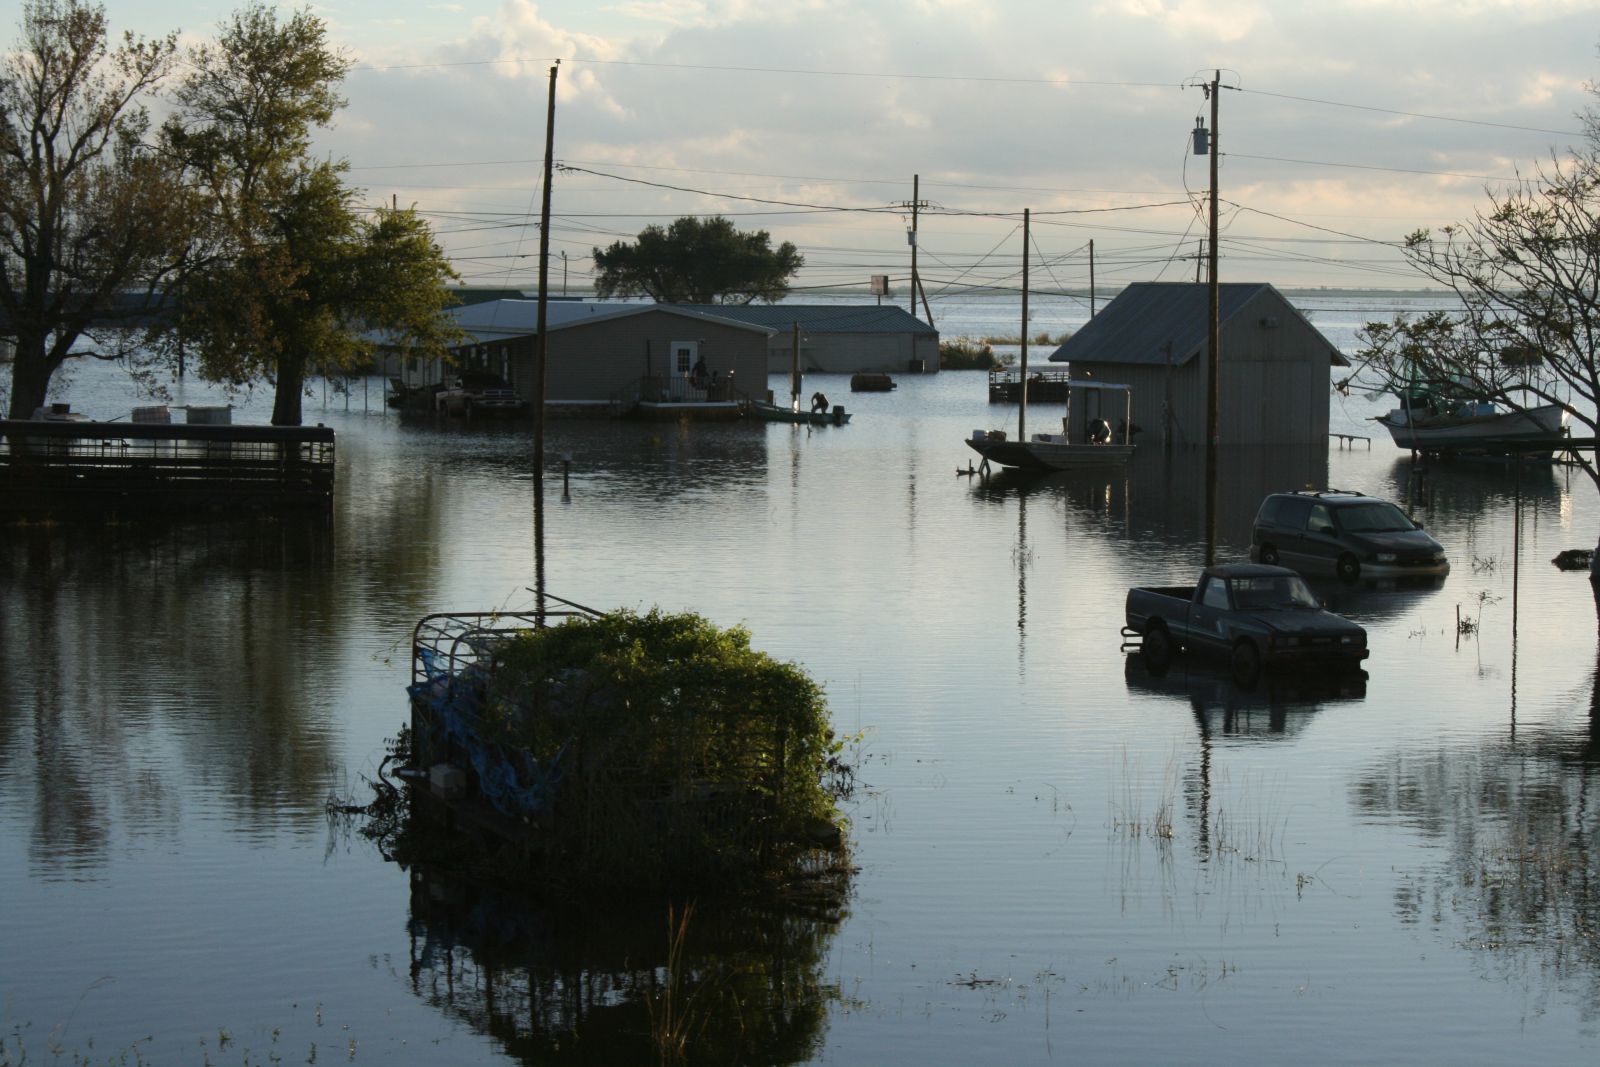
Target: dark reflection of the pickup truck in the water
(1273, 706)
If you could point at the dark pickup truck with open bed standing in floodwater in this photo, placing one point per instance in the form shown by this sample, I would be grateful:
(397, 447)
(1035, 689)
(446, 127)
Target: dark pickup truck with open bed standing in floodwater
(1257, 615)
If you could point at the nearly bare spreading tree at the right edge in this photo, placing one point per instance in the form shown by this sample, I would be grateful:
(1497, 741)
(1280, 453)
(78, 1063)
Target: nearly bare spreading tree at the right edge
(1527, 270)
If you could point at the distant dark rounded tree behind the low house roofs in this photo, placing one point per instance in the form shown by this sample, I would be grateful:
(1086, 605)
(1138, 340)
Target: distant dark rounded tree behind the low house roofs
(698, 262)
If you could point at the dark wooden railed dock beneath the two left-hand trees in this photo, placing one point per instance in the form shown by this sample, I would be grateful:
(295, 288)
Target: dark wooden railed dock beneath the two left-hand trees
(50, 470)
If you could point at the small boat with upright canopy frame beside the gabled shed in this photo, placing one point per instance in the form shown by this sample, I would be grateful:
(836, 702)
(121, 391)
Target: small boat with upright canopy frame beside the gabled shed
(1089, 438)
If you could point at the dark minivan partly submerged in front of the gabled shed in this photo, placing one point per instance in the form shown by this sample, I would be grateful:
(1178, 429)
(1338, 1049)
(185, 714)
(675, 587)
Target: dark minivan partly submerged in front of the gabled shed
(1348, 533)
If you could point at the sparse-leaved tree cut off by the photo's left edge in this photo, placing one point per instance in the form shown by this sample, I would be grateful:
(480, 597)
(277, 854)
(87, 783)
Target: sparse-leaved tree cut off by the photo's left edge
(87, 217)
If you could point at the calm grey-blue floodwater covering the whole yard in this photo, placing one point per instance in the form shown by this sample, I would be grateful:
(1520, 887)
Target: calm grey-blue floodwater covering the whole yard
(1062, 857)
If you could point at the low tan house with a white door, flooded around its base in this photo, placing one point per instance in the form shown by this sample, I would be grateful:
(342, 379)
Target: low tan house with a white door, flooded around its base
(609, 356)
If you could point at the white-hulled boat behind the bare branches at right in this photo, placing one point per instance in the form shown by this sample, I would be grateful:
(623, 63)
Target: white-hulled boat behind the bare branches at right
(1442, 420)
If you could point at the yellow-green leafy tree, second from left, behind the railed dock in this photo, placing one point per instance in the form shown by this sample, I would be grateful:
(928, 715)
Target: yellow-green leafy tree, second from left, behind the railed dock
(289, 273)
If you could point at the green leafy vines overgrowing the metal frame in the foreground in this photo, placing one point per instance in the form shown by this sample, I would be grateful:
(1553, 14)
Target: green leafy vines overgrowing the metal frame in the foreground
(689, 759)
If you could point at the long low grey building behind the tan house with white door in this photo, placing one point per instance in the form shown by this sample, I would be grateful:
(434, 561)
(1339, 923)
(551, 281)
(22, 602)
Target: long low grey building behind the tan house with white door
(839, 338)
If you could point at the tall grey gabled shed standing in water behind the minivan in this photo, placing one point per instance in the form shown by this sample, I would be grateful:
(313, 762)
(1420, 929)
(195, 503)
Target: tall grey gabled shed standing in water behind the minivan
(1273, 385)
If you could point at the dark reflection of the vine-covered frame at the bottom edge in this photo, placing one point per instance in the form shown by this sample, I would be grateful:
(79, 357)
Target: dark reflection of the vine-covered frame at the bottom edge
(569, 986)
